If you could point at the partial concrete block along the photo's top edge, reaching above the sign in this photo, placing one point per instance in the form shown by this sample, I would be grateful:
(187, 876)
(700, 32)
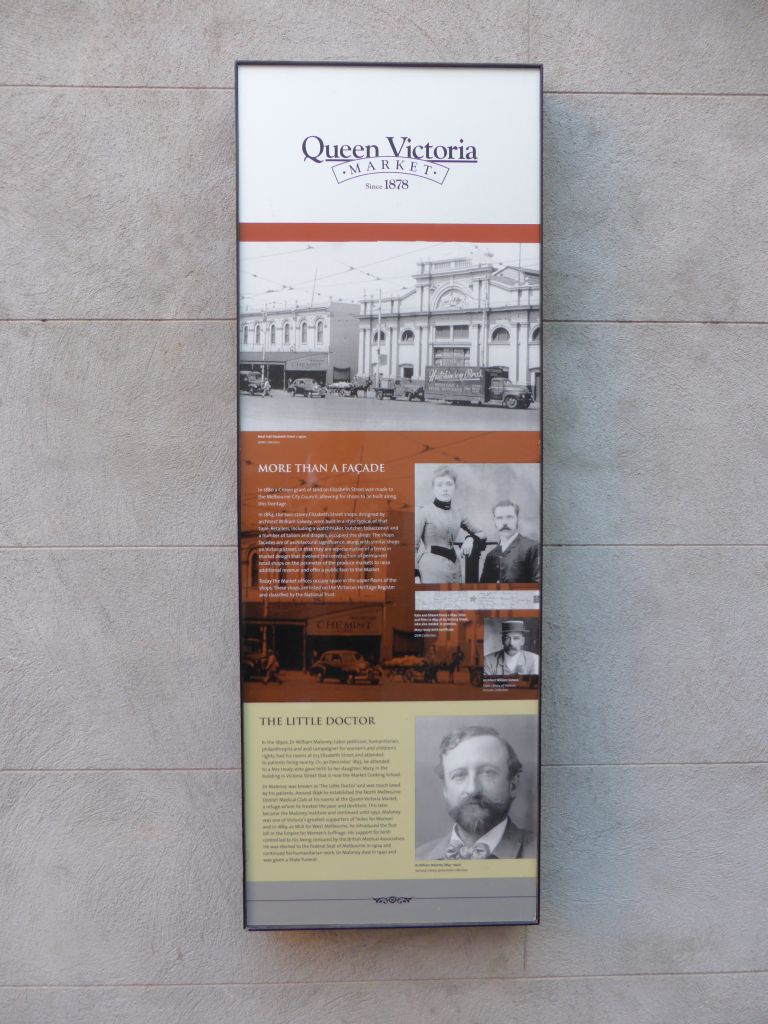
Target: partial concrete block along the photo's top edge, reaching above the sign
(179, 45)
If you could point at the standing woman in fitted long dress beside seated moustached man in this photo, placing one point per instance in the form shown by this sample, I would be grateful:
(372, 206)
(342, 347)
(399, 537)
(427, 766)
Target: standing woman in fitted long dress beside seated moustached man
(441, 528)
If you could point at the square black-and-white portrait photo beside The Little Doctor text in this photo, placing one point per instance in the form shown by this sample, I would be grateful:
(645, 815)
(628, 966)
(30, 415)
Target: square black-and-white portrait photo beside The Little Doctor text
(477, 788)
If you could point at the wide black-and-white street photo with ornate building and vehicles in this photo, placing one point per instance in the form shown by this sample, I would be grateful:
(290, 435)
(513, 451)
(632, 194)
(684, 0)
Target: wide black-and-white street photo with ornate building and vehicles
(390, 336)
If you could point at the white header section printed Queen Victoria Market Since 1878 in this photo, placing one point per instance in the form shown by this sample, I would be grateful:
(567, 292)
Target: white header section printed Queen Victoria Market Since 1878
(389, 145)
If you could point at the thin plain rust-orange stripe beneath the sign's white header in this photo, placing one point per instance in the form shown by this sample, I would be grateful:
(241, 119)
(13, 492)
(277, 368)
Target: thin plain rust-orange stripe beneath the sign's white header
(390, 233)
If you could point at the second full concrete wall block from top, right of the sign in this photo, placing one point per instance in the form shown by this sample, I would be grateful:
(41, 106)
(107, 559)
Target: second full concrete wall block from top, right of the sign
(656, 435)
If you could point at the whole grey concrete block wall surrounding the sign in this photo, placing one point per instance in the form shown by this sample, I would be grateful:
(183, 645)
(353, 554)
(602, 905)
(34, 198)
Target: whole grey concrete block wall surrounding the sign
(120, 847)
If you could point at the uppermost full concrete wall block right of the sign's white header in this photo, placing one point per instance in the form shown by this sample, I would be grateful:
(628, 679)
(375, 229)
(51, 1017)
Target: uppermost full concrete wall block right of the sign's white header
(652, 208)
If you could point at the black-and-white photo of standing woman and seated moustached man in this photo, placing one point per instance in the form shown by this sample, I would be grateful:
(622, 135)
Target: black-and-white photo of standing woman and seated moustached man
(478, 524)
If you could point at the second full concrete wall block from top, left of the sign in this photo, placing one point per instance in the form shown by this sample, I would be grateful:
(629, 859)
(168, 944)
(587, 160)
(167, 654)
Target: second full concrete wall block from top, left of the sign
(118, 434)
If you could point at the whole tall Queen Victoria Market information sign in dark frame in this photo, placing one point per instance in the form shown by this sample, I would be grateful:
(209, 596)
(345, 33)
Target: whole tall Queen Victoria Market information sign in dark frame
(391, 387)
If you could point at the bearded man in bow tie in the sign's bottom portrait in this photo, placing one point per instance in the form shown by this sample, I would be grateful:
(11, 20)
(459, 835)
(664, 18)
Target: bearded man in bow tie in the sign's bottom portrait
(481, 773)
